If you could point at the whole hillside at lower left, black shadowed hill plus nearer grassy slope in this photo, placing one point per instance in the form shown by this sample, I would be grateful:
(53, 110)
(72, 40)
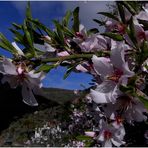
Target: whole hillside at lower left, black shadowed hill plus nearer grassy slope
(16, 116)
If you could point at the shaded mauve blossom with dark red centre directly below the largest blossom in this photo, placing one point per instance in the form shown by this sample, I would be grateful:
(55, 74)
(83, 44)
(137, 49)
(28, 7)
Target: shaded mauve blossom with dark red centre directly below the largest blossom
(128, 108)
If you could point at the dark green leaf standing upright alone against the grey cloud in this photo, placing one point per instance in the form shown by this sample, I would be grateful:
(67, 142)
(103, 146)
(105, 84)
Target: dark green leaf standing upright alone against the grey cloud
(76, 21)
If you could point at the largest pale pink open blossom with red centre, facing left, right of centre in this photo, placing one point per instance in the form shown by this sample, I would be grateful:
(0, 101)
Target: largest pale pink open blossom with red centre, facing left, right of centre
(113, 71)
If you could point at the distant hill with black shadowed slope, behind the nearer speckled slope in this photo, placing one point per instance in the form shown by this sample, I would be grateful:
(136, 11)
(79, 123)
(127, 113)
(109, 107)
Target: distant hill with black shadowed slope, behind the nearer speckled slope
(12, 107)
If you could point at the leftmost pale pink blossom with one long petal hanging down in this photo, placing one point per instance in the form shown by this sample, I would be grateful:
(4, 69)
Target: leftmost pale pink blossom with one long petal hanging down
(19, 74)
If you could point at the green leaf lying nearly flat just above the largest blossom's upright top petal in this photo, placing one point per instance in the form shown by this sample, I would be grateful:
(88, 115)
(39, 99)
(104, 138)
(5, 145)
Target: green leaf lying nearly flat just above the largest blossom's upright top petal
(114, 36)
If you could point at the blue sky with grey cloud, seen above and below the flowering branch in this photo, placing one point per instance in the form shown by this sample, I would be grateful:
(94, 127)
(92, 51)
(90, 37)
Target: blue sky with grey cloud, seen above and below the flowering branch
(46, 11)
